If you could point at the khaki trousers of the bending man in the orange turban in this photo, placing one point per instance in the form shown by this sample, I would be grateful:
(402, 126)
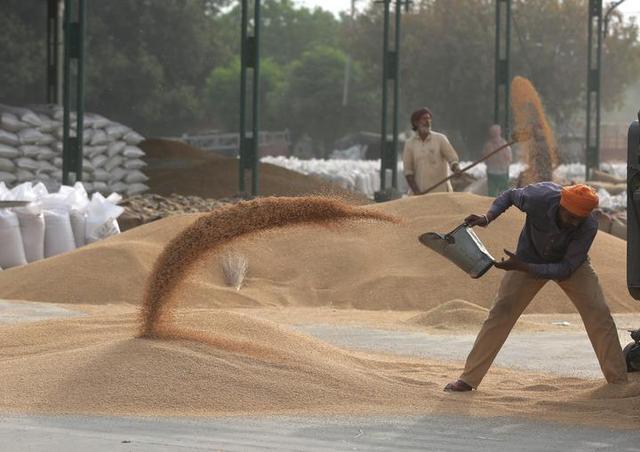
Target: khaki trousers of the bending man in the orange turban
(516, 292)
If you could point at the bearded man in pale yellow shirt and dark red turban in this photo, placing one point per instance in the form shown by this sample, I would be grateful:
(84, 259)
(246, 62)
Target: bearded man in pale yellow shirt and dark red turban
(427, 156)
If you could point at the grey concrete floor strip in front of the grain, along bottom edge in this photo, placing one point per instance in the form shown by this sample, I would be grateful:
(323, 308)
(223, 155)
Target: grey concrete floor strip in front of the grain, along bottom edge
(375, 433)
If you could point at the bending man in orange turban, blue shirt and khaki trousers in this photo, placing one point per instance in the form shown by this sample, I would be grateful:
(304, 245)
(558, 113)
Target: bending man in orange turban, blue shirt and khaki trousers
(553, 245)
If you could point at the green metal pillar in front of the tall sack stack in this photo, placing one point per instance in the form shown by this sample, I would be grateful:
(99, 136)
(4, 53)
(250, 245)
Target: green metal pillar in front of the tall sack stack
(74, 32)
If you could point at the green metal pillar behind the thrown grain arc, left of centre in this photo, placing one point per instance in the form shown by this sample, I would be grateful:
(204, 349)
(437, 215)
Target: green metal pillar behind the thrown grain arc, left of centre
(250, 59)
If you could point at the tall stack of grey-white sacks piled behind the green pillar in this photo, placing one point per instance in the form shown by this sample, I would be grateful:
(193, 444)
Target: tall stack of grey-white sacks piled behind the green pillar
(31, 150)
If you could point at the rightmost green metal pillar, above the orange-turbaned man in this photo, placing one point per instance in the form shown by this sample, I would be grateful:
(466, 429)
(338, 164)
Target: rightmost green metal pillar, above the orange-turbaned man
(593, 87)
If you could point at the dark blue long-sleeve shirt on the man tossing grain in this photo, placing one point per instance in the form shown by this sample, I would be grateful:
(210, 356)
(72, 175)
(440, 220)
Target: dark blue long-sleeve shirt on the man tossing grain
(551, 252)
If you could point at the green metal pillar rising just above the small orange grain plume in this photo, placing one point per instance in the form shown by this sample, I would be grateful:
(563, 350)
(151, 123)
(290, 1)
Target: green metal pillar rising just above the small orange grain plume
(502, 88)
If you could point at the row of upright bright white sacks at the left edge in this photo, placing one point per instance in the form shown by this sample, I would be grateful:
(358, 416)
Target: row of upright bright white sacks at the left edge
(53, 223)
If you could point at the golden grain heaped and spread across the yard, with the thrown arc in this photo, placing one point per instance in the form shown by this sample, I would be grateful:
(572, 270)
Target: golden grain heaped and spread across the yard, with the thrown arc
(227, 352)
